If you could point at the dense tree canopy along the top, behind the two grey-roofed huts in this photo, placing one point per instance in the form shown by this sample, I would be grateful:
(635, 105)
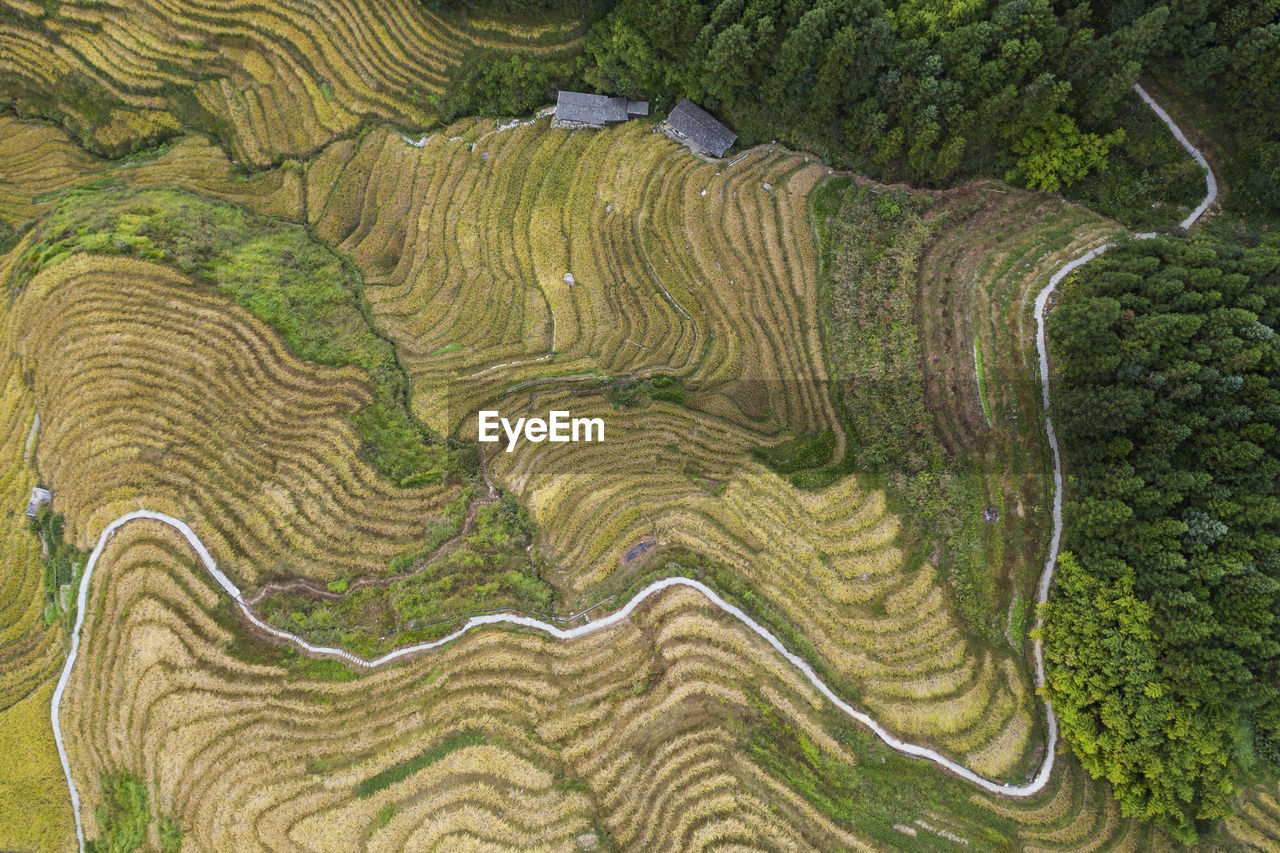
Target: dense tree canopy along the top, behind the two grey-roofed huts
(916, 90)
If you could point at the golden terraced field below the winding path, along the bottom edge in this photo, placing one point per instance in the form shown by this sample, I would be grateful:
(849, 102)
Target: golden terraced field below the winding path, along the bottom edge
(668, 683)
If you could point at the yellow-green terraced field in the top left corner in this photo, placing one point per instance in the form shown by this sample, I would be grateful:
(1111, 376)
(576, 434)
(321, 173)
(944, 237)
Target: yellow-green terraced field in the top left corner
(277, 79)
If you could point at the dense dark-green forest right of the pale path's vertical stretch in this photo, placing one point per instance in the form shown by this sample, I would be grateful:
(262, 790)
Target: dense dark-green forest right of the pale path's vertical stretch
(1162, 641)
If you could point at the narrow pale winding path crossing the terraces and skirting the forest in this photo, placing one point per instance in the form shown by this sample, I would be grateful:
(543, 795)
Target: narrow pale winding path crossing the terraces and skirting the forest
(614, 619)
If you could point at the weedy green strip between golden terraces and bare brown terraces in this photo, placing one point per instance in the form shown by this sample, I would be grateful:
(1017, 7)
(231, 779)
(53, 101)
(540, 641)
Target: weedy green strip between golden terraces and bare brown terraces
(871, 253)
